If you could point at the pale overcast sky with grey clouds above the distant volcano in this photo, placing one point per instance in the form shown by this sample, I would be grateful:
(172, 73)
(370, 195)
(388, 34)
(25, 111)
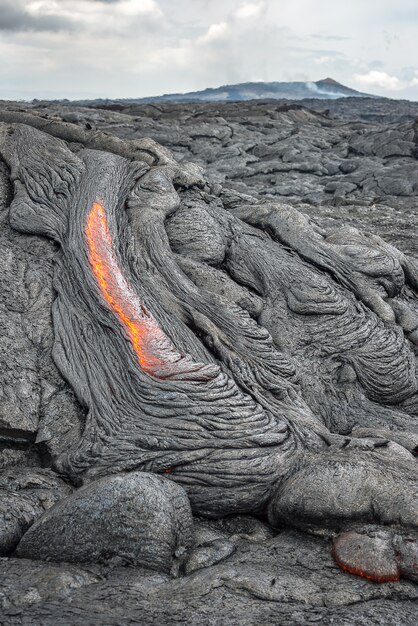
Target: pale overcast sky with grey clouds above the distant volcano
(134, 48)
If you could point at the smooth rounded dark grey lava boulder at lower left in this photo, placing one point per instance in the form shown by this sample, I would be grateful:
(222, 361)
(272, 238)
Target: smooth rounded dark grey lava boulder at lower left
(138, 518)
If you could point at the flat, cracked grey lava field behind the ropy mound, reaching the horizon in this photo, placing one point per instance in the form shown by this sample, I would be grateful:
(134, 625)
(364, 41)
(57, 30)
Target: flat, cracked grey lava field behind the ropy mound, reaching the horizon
(349, 160)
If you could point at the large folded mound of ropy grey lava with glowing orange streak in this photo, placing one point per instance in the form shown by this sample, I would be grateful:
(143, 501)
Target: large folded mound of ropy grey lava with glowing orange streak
(237, 363)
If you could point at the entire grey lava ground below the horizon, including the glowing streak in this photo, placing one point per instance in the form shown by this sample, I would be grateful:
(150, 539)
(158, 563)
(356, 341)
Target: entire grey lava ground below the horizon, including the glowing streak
(226, 339)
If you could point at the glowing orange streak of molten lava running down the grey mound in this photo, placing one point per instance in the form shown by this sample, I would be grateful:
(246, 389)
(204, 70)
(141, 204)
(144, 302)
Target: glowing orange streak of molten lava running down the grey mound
(156, 353)
